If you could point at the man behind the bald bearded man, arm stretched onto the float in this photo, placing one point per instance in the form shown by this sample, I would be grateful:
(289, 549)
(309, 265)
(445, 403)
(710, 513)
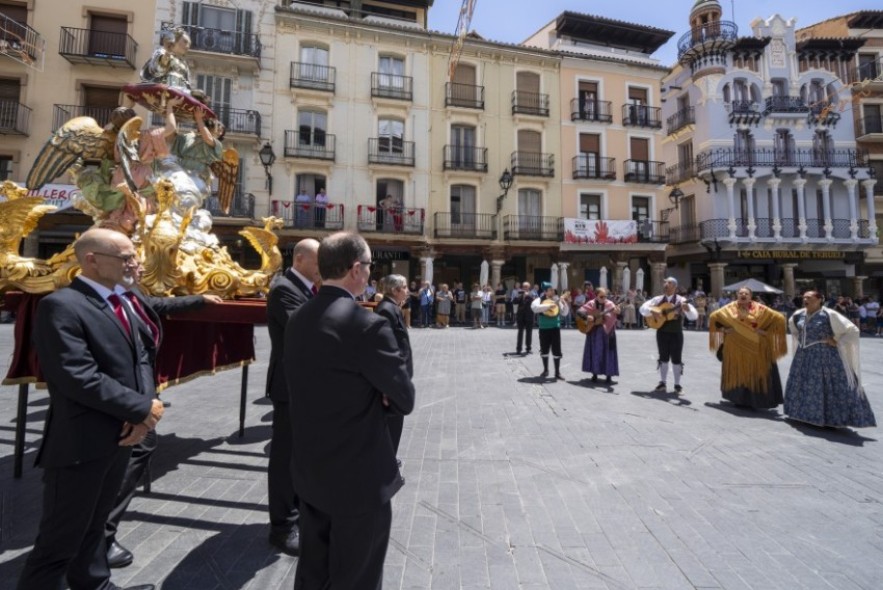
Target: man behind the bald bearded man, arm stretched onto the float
(150, 333)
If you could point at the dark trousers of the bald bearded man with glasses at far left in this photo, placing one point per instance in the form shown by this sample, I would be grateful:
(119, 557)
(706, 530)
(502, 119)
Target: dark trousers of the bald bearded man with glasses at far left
(71, 548)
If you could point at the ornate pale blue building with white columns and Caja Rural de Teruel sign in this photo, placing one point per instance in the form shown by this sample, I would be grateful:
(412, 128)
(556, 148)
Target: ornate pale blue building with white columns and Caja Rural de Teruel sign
(766, 171)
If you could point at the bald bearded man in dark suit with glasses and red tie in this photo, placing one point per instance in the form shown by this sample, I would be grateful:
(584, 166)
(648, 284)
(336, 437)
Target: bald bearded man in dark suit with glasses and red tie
(102, 401)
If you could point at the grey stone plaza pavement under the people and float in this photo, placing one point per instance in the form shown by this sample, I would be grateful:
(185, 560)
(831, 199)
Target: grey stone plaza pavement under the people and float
(513, 483)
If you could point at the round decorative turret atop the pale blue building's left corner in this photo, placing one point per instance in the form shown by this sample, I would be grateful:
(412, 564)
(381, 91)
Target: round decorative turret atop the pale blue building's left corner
(709, 37)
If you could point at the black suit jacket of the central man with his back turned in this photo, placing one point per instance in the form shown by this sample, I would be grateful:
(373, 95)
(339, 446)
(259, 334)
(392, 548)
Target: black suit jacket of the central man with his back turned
(339, 360)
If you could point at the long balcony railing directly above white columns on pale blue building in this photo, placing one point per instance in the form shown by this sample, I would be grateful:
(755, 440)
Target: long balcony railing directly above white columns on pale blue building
(773, 158)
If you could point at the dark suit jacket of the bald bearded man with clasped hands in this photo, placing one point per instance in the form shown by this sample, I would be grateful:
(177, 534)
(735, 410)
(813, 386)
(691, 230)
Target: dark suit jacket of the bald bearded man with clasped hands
(91, 369)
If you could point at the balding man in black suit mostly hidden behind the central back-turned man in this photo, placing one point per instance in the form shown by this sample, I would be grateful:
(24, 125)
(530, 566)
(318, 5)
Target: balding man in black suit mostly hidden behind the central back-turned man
(288, 292)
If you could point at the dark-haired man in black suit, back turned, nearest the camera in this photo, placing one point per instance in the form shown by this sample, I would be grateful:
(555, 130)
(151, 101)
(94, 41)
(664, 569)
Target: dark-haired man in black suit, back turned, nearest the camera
(345, 373)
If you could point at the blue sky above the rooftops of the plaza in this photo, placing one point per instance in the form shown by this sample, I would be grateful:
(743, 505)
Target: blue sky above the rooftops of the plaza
(512, 21)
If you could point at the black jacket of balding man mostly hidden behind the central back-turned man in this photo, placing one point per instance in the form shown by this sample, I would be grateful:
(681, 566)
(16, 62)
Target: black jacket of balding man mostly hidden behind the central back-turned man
(287, 293)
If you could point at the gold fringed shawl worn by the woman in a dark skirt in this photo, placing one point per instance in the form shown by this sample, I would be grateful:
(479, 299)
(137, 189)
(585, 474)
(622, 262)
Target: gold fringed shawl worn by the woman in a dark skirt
(748, 354)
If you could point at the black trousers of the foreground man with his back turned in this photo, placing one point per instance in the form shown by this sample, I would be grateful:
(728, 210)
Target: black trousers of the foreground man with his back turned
(342, 552)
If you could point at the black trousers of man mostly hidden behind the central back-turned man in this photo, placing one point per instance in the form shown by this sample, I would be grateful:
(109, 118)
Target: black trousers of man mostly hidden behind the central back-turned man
(281, 497)
